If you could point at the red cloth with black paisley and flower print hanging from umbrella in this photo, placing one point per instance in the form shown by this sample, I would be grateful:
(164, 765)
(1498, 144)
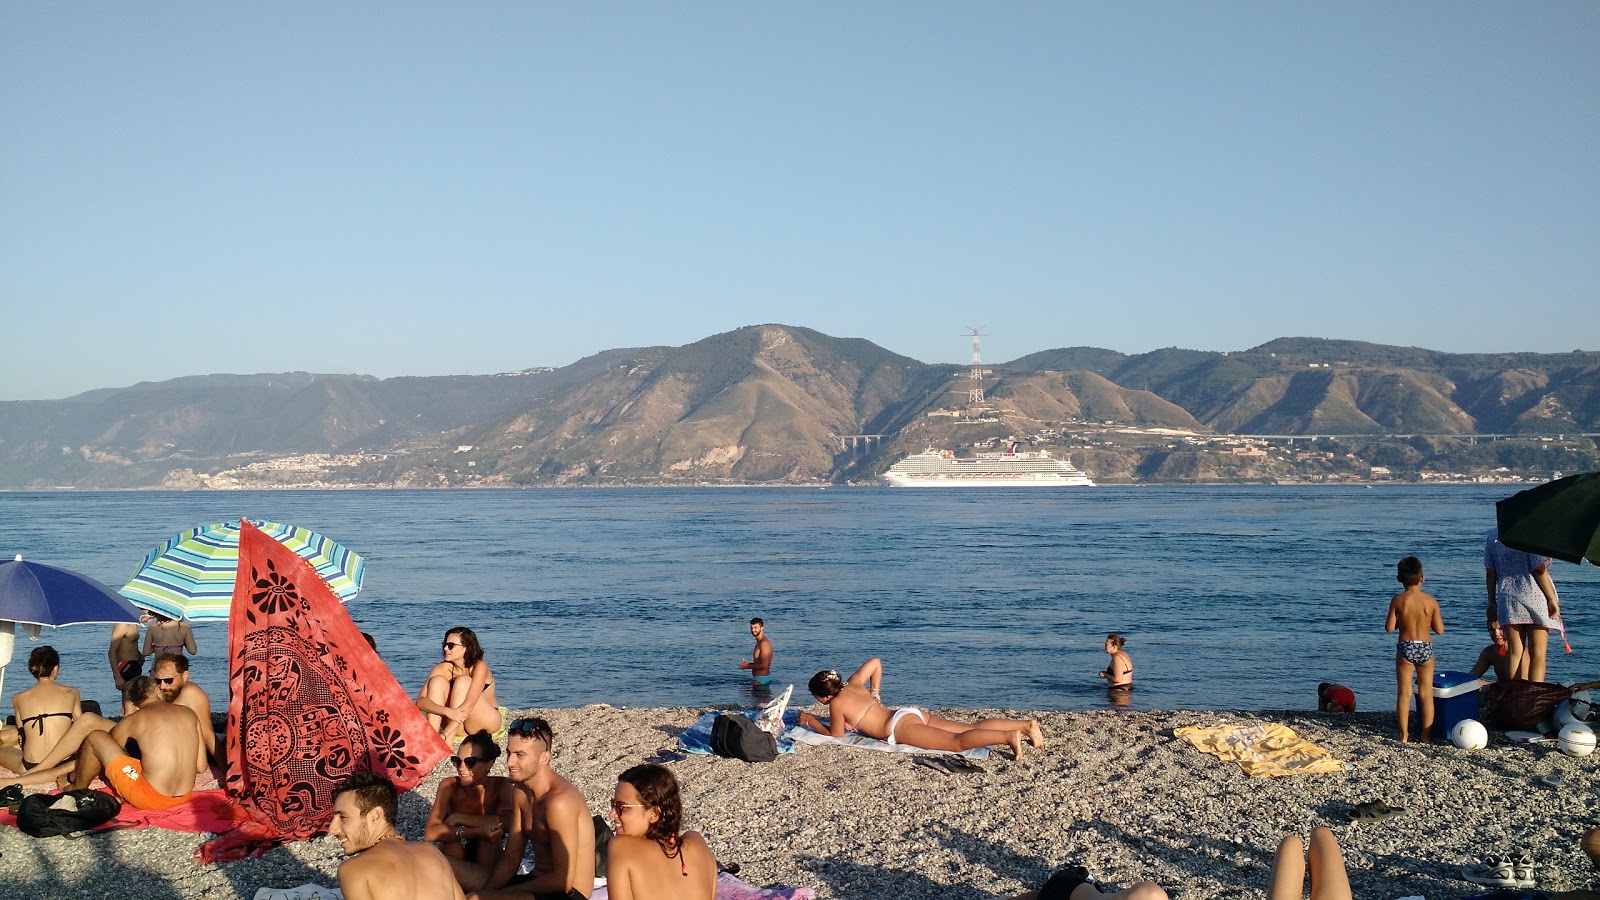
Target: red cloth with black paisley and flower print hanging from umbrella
(310, 704)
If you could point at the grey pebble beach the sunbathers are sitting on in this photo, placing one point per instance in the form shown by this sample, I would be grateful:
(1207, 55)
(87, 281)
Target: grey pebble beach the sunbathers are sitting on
(1114, 792)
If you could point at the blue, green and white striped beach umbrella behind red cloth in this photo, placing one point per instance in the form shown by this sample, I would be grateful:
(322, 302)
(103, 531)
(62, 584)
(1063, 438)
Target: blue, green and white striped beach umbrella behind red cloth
(193, 574)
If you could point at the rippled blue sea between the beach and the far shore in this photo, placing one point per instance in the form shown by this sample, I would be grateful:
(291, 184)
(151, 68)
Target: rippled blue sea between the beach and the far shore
(1230, 597)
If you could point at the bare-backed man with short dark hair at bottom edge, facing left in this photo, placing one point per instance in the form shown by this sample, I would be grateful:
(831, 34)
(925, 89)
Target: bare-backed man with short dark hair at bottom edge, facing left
(383, 866)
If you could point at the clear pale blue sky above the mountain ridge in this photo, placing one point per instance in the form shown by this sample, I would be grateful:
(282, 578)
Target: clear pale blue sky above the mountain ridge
(426, 190)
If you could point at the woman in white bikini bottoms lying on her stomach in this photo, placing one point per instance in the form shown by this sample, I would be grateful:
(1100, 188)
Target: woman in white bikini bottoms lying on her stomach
(855, 707)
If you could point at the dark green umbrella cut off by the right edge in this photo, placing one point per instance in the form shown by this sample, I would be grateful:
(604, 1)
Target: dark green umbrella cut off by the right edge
(1559, 520)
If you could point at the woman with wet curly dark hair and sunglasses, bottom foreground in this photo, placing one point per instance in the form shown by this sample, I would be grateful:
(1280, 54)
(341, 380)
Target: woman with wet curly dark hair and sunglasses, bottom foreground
(652, 858)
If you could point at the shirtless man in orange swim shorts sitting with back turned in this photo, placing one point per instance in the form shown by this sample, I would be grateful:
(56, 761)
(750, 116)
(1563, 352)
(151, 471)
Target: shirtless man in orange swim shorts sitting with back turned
(169, 745)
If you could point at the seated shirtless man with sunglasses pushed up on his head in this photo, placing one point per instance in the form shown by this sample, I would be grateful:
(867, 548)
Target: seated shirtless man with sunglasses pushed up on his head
(551, 814)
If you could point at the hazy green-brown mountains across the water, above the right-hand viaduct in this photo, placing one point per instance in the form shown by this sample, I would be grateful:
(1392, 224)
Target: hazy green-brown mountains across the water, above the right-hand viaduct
(758, 406)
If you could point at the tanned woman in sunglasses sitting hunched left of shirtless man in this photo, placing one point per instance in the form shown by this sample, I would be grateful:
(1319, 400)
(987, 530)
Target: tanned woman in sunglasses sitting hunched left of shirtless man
(471, 811)
